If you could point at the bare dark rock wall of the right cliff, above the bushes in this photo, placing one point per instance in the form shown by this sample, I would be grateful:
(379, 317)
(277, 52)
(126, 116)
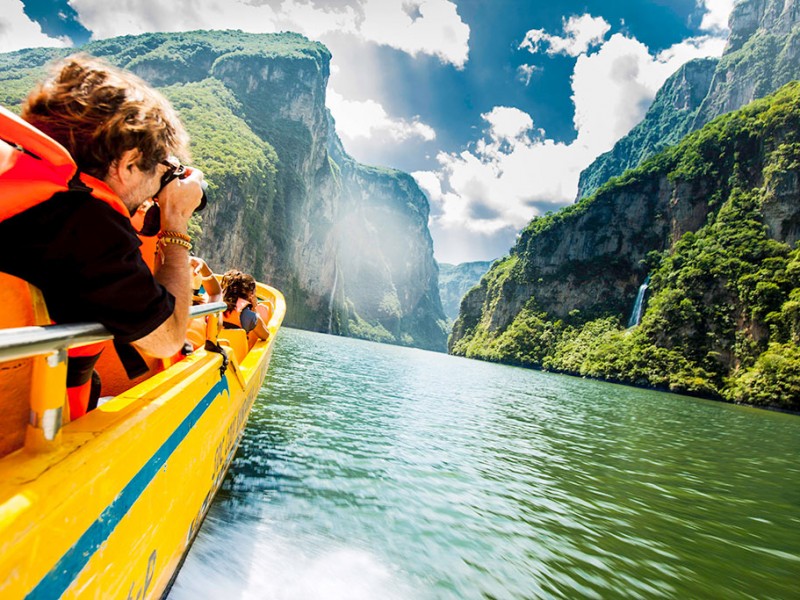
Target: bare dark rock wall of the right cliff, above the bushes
(591, 260)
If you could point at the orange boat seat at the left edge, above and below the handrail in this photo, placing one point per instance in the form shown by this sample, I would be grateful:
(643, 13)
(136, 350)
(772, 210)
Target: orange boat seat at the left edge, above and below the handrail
(21, 305)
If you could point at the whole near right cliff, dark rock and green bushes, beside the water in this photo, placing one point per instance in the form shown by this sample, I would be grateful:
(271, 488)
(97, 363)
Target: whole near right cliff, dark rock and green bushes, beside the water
(713, 221)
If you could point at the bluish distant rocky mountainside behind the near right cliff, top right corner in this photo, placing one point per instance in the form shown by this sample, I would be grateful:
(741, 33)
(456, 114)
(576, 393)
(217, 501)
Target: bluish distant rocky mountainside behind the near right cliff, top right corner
(762, 54)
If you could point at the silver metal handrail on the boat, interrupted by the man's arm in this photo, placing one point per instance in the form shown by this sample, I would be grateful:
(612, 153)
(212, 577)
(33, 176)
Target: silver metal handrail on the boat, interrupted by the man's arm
(24, 342)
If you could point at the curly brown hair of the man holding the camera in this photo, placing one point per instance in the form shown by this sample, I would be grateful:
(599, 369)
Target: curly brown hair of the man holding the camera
(98, 112)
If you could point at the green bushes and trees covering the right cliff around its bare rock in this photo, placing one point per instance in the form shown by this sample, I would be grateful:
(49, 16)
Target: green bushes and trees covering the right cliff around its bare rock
(723, 311)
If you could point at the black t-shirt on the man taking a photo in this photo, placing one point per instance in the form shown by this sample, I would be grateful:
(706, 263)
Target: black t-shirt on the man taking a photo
(85, 257)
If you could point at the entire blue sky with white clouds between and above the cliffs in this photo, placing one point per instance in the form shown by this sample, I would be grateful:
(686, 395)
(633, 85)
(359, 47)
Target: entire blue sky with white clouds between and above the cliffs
(494, 106)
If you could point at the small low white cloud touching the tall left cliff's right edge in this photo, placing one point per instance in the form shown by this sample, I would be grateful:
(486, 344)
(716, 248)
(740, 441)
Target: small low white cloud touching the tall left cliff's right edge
(368, 119)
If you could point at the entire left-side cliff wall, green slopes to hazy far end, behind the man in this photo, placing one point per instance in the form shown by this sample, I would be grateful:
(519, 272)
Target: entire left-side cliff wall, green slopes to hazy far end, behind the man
(347, 244)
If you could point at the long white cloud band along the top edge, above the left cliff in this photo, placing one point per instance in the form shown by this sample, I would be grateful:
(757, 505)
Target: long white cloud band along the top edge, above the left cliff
(430, 27)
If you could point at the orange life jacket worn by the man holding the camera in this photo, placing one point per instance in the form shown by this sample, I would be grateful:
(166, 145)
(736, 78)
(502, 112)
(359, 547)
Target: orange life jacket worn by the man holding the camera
(33, 167)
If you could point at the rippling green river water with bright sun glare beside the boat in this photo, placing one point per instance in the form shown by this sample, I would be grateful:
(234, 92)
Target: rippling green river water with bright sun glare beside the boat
(371, 471)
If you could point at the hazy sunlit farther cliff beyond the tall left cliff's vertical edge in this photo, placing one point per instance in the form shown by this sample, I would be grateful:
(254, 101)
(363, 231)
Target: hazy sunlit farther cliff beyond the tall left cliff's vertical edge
(387, 288)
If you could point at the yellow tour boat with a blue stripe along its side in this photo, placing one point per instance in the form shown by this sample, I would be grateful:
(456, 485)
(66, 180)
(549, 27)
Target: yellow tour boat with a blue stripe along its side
(106, 506)
